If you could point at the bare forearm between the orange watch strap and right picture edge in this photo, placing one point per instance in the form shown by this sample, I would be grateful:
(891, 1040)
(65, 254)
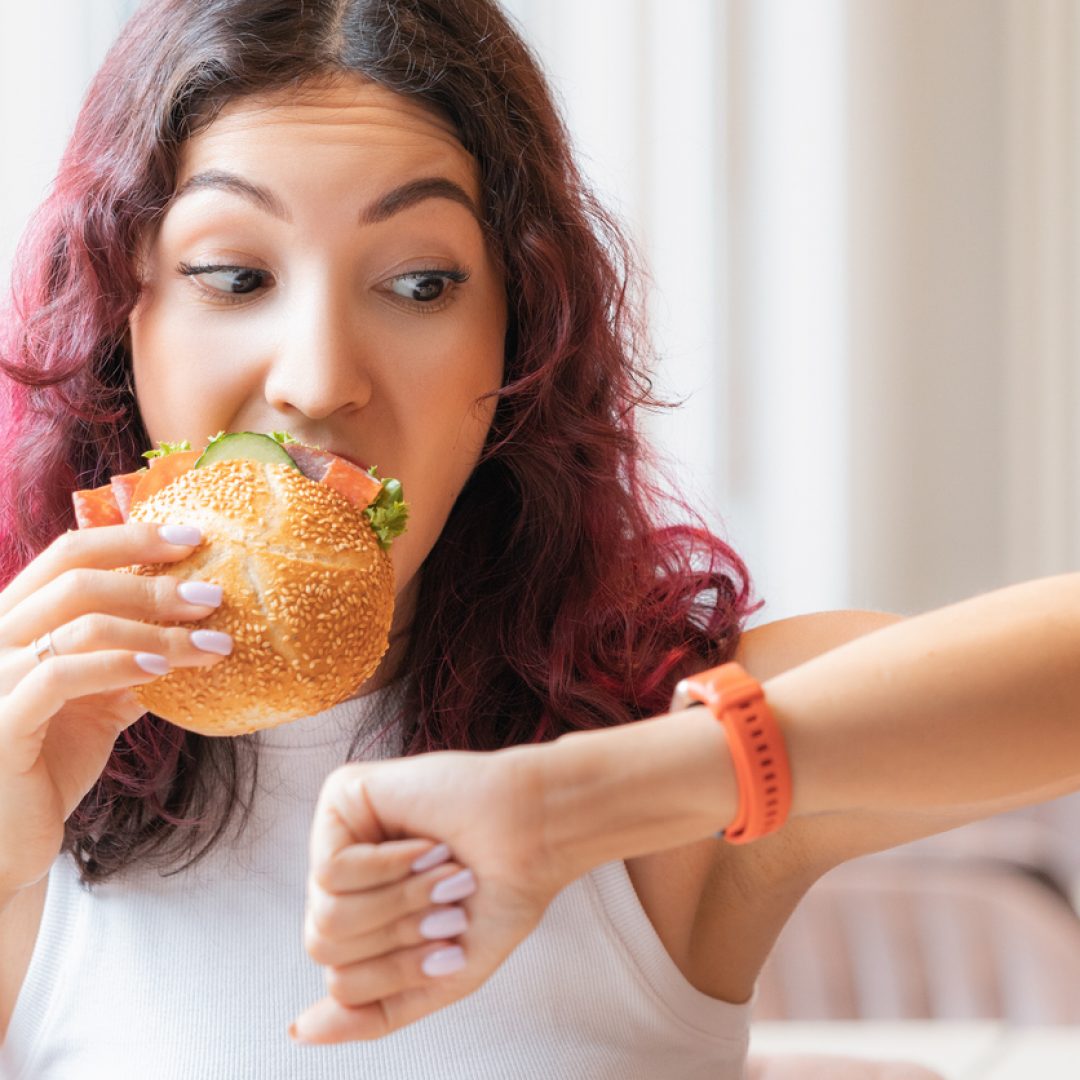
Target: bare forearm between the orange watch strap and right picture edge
(957, 708)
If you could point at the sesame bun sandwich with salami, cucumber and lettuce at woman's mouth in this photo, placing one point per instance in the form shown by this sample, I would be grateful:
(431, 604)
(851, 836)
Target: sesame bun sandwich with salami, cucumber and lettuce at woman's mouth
(300, 539)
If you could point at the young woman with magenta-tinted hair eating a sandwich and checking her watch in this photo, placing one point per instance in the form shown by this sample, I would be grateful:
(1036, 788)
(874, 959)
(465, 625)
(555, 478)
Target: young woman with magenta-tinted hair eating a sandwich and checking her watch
(359, 221)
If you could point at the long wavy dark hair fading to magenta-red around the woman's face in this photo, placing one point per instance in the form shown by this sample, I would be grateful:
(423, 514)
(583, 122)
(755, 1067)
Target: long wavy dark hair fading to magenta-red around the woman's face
(571, 588)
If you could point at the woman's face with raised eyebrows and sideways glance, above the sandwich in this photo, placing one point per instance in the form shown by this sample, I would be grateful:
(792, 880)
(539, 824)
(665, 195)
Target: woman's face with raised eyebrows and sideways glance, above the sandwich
(322, 272)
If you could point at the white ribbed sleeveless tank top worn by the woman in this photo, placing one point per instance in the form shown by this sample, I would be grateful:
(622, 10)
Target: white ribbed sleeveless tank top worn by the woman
(197, 977)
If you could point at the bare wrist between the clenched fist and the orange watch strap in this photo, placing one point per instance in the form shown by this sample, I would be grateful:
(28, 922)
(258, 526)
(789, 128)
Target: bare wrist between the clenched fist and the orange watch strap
(617, 793)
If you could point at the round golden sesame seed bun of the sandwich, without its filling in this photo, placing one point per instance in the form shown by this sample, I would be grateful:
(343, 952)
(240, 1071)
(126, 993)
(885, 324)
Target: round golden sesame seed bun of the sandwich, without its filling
(308, 597)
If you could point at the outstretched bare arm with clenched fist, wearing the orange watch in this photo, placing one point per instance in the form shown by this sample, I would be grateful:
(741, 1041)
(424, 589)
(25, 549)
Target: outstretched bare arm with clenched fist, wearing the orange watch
(961, 712)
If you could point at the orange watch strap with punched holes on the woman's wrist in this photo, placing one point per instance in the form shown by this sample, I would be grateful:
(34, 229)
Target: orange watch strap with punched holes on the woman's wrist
(759, 751)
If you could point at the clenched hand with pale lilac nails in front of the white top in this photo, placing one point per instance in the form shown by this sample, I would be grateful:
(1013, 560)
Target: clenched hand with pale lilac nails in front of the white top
(479, 818)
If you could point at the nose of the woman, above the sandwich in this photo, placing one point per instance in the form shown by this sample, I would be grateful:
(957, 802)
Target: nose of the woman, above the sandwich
(320, 364)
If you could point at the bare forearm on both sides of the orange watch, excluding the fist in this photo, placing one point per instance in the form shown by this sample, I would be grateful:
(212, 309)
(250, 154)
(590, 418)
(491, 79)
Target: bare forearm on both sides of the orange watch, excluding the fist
(953, 709)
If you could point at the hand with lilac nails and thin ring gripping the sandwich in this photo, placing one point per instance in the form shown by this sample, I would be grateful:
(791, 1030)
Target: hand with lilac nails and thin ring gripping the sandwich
(74, 639)
